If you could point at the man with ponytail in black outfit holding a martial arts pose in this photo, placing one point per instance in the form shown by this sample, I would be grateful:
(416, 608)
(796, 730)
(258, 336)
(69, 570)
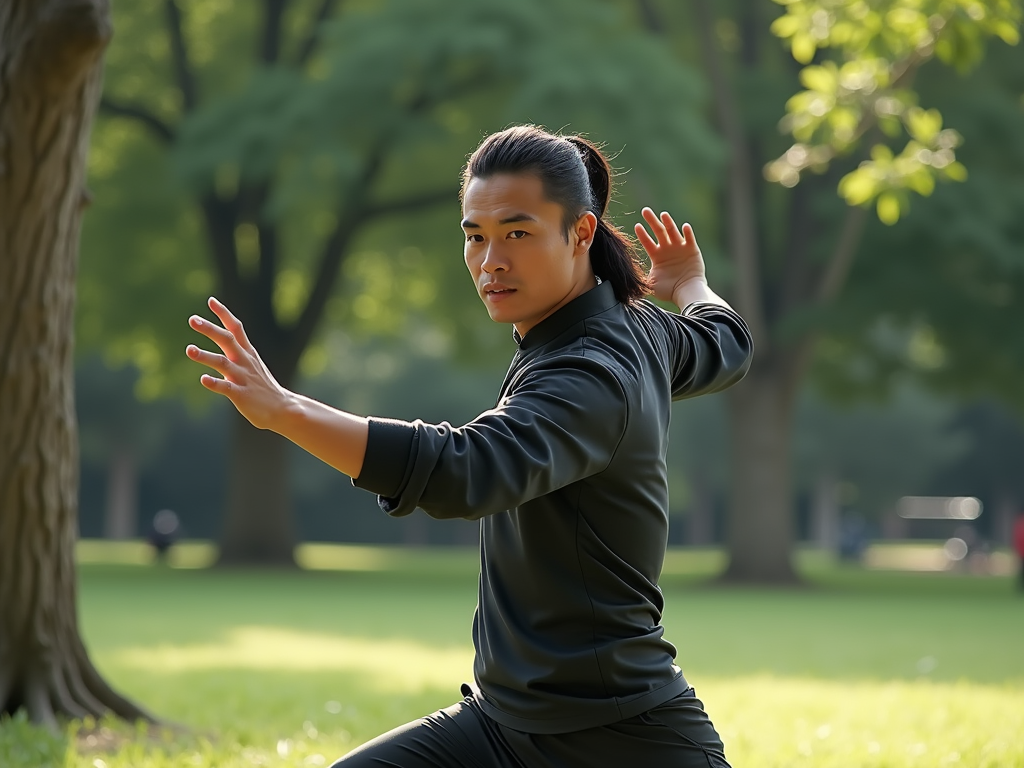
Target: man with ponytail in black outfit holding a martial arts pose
(567, 474)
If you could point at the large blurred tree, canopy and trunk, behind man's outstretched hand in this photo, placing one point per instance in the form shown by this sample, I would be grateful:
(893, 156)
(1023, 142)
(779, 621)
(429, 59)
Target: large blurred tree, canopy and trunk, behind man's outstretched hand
(294, 133)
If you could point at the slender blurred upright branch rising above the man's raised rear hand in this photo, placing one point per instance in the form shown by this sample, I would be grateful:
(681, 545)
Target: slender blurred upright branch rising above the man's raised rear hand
(743, 226)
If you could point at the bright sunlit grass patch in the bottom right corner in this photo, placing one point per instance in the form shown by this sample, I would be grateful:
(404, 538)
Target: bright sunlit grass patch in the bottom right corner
(772, 722)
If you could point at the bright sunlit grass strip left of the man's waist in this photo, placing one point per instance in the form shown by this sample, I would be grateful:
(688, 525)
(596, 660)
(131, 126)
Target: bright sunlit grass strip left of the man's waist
(405, 666)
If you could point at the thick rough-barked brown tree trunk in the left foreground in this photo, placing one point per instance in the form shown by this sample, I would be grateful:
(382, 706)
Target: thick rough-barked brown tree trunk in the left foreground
(51, 74)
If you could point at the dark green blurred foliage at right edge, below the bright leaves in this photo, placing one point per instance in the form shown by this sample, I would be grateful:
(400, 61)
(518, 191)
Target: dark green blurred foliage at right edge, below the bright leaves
(941, 298)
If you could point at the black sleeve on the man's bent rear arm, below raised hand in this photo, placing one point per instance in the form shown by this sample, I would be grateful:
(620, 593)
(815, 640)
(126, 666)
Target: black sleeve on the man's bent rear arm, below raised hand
(710, 349)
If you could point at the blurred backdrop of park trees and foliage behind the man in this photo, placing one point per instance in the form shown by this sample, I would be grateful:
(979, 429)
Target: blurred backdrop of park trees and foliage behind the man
(301, 160)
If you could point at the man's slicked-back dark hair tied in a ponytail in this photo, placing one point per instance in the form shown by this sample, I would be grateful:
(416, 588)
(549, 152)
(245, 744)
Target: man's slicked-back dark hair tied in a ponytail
(576, 176)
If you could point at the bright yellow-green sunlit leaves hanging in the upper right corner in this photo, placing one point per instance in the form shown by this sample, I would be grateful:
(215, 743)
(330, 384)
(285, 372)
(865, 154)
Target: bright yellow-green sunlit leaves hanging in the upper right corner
(880, 47)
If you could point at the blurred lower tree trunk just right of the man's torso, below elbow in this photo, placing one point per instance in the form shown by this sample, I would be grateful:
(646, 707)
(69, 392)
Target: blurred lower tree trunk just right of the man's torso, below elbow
(760, 530)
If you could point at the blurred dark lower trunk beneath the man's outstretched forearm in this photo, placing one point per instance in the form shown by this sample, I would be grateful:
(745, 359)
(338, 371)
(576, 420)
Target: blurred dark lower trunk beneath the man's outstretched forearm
(259, 527)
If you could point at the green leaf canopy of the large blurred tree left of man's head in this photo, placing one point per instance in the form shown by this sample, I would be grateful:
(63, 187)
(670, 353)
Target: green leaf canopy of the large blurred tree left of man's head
(404, 90)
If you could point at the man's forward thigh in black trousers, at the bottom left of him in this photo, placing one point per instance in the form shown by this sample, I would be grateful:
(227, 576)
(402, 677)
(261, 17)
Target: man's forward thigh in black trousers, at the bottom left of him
(458, 737)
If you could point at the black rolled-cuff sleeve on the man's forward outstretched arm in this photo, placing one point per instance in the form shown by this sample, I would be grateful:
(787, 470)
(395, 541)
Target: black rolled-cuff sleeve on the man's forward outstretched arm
(562, 423)
